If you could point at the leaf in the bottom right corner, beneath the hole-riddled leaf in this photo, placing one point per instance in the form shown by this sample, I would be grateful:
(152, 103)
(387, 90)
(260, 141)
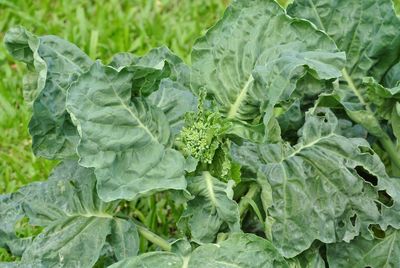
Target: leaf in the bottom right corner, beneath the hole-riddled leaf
(360, 253)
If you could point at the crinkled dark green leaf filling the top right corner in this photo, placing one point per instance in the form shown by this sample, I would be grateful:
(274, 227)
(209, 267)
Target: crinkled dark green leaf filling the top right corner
(367, 30)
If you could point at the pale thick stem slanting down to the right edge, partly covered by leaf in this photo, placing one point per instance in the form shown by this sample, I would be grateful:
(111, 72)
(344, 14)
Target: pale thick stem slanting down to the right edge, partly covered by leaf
(384, 139)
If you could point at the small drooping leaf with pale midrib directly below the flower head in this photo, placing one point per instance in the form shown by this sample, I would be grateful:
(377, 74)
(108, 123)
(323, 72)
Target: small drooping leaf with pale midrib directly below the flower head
(211, 206)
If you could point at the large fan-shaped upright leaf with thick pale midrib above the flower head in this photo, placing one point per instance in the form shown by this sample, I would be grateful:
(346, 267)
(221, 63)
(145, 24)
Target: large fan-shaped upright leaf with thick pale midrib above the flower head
(247, 65)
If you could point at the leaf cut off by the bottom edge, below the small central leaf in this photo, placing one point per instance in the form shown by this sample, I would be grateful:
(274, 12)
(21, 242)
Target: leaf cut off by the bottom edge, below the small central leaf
(239, 250)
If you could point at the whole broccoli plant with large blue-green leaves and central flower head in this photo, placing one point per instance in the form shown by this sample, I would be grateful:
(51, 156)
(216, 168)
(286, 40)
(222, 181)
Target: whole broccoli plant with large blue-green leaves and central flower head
(277, 147)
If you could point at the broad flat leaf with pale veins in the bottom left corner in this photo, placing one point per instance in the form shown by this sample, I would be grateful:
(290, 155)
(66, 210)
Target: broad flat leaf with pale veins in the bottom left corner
(77, 223)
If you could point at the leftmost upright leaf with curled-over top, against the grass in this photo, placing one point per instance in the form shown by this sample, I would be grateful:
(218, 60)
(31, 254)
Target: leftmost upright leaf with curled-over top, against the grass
(54, 64)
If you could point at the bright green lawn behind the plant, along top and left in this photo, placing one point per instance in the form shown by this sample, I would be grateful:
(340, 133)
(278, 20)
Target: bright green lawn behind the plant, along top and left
(101, 28)
